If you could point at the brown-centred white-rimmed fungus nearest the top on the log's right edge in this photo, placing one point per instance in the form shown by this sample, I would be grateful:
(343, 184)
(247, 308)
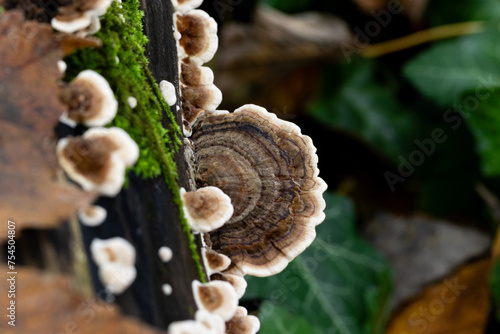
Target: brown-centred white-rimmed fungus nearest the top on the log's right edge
(199, 39)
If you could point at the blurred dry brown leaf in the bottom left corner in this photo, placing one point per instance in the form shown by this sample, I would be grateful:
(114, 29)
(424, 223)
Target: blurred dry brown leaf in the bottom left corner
(45, 303)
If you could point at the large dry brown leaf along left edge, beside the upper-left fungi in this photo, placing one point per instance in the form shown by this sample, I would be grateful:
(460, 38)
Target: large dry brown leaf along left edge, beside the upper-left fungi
(29, 111)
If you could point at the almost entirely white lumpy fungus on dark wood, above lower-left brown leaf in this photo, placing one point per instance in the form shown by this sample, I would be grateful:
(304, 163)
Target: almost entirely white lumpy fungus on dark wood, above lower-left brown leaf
(115, 259)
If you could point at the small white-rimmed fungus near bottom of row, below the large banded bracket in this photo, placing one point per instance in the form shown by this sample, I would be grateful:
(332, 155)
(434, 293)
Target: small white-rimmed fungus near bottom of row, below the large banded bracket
(216, 297)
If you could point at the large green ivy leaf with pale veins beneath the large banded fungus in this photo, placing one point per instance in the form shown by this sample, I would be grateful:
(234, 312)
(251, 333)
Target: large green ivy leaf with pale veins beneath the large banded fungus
(339, 284)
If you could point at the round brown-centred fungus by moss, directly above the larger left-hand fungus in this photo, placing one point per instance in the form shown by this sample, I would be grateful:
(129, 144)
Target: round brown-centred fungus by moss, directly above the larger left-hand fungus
(89, 99)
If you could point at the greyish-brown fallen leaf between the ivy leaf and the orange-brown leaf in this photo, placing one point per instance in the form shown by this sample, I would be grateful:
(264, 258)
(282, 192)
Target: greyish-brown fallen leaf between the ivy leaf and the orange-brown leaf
(422, 250)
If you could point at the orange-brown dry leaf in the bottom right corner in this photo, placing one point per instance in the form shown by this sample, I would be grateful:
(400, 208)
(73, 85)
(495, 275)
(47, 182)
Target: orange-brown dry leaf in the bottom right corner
(459, 305)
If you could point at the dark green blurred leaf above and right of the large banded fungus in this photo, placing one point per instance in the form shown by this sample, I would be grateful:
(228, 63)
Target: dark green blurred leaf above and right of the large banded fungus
(356, 102)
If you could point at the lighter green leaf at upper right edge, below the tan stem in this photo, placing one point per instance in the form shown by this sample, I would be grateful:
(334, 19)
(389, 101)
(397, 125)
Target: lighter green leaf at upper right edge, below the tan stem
(447, 69)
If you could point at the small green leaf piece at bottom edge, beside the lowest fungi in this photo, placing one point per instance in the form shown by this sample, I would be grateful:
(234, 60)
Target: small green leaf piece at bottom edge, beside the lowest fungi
(277, 320)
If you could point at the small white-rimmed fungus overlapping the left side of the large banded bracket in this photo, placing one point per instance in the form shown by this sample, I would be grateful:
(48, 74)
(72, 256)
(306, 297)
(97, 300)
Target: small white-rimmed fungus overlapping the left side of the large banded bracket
(206, 209)
